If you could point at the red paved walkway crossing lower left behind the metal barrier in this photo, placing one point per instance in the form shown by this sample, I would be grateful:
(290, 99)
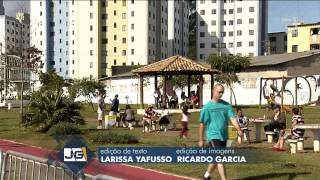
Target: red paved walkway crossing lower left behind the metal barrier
(94, 168)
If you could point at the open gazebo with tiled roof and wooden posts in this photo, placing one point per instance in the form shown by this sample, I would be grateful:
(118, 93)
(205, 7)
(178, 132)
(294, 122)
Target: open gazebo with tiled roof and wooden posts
(175, 65)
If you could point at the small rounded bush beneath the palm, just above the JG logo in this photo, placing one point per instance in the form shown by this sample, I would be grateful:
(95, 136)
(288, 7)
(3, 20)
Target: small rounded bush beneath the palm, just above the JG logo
(64, 128)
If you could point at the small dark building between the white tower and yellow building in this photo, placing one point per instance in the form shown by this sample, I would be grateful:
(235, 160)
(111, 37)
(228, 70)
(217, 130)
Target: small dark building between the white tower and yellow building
(277, 43)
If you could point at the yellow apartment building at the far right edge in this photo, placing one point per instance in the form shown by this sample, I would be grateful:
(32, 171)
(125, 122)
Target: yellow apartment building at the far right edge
(303, 37)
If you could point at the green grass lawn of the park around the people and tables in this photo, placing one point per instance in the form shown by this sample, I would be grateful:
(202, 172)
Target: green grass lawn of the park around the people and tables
(276, 165)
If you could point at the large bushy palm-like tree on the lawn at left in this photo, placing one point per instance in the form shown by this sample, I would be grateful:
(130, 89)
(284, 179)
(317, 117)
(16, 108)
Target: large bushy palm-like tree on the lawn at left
(49, 105)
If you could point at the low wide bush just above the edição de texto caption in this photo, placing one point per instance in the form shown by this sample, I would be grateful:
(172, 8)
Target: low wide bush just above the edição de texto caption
(114, 138)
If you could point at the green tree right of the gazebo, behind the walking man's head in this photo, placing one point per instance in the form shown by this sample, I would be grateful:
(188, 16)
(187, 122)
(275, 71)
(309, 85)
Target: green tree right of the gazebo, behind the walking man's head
(229, 65)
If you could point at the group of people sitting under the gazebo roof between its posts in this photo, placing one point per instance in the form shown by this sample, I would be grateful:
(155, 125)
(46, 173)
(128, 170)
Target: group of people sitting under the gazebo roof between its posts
(172, 99)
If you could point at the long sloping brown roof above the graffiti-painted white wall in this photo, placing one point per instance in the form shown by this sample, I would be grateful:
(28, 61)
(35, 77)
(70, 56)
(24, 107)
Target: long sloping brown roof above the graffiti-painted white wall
(281, 58)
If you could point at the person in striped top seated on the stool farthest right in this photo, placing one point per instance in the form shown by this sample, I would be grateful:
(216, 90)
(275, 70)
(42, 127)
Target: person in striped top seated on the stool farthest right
(295, 133)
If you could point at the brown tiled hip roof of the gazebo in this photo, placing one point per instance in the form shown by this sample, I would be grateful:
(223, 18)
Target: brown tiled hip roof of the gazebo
(175, 65)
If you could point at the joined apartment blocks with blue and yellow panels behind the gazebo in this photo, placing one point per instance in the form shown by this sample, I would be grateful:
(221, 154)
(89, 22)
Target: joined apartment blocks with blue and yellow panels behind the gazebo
(86, 38)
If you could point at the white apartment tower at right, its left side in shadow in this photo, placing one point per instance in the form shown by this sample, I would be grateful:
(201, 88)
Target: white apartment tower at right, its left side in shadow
(231, 27)
